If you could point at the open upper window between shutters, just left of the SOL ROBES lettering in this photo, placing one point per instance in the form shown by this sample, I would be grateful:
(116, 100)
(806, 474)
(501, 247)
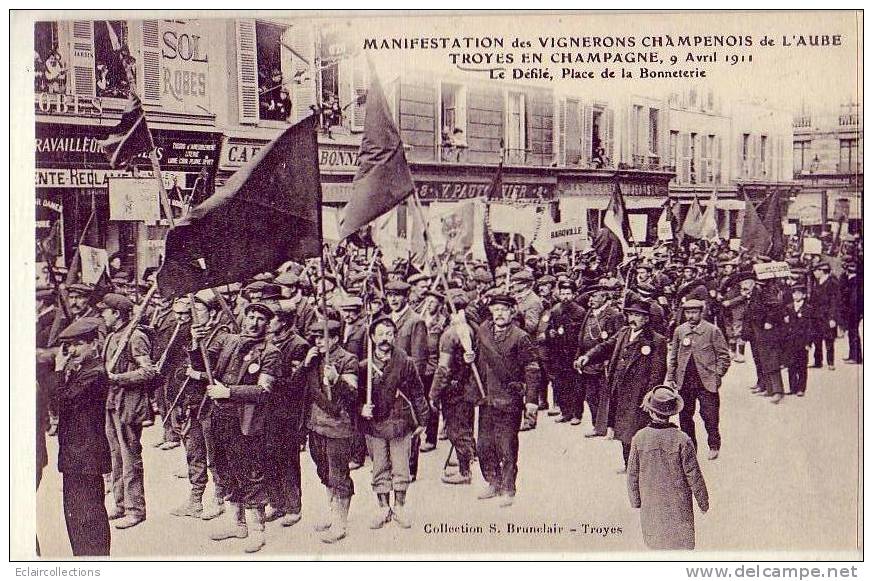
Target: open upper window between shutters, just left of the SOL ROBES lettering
(114, 66)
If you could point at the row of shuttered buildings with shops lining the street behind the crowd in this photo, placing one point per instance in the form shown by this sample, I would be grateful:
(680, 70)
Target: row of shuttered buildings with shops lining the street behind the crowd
(216, 91)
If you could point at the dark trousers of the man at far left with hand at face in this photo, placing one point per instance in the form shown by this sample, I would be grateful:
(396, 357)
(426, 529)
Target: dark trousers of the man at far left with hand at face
(85, 513)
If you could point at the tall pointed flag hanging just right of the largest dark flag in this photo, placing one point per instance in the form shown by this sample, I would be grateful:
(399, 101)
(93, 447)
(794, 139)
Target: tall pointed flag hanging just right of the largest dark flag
(383, 179)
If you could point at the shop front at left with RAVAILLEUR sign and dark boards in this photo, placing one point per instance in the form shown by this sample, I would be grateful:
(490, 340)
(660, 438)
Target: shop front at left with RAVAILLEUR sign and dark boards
(73, 180)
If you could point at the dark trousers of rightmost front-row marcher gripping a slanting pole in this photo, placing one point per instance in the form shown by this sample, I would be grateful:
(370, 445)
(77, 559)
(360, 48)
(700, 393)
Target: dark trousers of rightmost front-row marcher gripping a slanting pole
(498, 446)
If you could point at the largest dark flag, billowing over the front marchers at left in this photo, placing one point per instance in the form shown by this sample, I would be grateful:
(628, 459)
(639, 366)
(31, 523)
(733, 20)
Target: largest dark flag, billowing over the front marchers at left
(268, 213)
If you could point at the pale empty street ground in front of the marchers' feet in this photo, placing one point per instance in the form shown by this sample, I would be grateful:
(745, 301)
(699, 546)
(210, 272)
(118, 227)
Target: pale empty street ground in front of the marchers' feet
(787, 479)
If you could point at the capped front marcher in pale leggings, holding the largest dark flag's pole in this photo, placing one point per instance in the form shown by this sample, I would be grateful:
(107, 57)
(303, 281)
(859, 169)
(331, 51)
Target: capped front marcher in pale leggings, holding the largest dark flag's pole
(244, 368)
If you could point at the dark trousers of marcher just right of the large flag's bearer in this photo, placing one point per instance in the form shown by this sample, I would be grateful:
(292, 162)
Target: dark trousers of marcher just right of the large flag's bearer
(282, 468)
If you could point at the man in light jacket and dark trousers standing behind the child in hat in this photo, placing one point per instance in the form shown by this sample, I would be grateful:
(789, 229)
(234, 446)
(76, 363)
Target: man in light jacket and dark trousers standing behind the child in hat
(699, 357)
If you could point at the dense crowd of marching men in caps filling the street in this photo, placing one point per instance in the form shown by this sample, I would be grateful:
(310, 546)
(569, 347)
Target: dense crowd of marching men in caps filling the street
(357, 362)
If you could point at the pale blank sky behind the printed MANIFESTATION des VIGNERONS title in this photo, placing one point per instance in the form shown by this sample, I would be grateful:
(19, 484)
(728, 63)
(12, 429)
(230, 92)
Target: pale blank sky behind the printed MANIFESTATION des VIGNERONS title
(822, 77)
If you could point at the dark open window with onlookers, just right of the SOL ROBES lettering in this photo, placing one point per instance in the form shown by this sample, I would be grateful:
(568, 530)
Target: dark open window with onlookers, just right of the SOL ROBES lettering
(274, 98)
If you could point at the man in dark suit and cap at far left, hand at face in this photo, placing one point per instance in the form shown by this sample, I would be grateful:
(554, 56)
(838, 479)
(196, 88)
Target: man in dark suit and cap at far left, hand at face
(83, 449)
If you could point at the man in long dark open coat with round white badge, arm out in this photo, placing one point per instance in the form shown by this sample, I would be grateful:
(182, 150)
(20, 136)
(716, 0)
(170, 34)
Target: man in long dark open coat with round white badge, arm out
(637, 360)
